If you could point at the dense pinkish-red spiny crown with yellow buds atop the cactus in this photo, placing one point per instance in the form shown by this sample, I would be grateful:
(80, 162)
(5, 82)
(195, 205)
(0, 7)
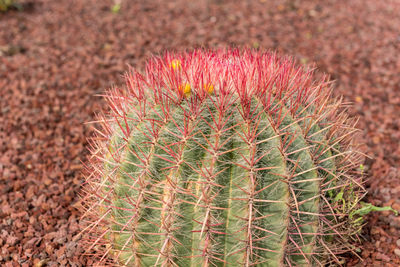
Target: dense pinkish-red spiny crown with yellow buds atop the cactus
(246, 73)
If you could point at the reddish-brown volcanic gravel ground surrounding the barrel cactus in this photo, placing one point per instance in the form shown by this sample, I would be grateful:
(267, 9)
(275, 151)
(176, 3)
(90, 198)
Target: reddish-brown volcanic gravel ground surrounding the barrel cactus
(56, 55)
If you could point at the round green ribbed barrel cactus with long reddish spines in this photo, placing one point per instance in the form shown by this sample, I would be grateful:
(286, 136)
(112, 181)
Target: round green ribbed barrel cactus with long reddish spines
(222, 158)
